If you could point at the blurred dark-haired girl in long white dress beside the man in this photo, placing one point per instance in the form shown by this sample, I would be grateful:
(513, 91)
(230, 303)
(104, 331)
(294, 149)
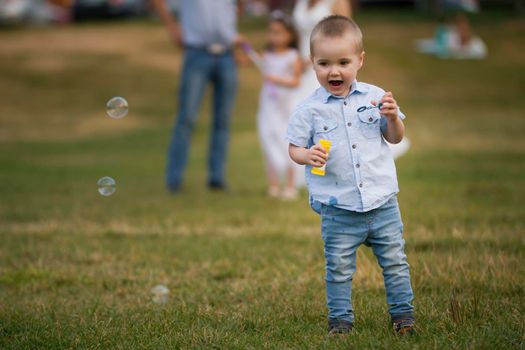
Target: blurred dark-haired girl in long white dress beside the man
(281, 68)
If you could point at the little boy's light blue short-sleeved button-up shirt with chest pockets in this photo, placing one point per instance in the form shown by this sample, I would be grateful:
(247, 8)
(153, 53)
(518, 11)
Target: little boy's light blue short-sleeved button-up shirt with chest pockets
(360, 171)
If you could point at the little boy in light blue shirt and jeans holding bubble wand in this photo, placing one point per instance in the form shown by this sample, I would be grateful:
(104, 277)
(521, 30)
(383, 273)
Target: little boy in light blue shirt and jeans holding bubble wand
(357, 196)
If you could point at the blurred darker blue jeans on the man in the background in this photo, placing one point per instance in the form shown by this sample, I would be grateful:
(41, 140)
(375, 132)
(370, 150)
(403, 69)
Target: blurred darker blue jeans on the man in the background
(200, 68)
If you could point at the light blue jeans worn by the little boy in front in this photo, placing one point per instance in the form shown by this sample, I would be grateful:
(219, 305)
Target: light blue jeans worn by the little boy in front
(343, 232)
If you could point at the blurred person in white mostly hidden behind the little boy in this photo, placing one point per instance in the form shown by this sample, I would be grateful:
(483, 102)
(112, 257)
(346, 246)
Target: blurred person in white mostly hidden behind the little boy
(306, 14)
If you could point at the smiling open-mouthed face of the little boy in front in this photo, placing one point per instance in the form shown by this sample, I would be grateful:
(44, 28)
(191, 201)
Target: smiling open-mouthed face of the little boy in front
(336, 62)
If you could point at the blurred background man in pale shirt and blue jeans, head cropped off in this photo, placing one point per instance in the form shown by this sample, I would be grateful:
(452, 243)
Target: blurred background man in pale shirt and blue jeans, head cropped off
(207, 31)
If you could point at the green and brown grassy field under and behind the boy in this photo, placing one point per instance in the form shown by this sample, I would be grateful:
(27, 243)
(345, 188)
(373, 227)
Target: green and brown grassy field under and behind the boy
(244, 271)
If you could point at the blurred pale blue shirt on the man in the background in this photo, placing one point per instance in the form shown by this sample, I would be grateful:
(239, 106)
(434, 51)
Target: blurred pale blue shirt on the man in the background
(206, 22)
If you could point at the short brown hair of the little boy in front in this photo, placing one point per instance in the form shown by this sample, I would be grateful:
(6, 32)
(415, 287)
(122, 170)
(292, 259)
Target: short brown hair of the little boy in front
(335, 26)
